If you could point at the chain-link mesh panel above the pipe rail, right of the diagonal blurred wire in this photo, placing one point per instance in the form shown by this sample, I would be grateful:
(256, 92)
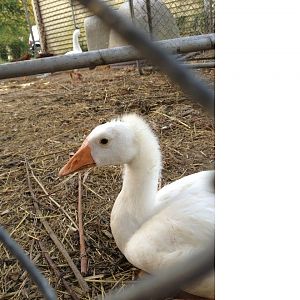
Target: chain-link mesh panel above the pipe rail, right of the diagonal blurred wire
(170, 19)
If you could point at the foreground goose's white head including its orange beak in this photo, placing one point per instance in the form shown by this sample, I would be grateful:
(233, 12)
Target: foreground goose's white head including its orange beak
(113, 143)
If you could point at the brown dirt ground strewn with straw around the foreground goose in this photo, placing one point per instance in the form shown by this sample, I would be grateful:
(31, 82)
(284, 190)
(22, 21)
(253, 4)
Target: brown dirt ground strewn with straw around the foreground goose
(44, 119)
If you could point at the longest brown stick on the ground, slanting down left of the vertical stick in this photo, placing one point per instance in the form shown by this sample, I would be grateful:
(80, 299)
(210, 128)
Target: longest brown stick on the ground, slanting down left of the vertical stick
(53, 236)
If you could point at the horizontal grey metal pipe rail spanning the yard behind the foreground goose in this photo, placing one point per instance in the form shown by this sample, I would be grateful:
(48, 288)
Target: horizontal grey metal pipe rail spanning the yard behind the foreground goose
(99, 57)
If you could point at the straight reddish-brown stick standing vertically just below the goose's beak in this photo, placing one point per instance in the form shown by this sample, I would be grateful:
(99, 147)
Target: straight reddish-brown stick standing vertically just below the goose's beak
(83, 254)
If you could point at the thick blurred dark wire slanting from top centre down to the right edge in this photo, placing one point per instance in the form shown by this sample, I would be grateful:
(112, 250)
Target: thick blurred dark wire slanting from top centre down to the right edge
(197, 90)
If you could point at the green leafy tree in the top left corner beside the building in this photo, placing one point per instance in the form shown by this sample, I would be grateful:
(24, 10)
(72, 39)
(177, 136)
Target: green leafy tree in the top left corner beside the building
(14, 31)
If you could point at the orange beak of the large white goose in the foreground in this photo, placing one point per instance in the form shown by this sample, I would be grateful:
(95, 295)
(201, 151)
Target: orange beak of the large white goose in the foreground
(82, 159)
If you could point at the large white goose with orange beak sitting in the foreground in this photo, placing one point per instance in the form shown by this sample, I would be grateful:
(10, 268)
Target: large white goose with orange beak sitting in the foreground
(153, 229)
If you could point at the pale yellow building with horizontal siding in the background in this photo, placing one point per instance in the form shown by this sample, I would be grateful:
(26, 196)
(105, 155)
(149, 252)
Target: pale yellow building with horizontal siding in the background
(56, 20)
